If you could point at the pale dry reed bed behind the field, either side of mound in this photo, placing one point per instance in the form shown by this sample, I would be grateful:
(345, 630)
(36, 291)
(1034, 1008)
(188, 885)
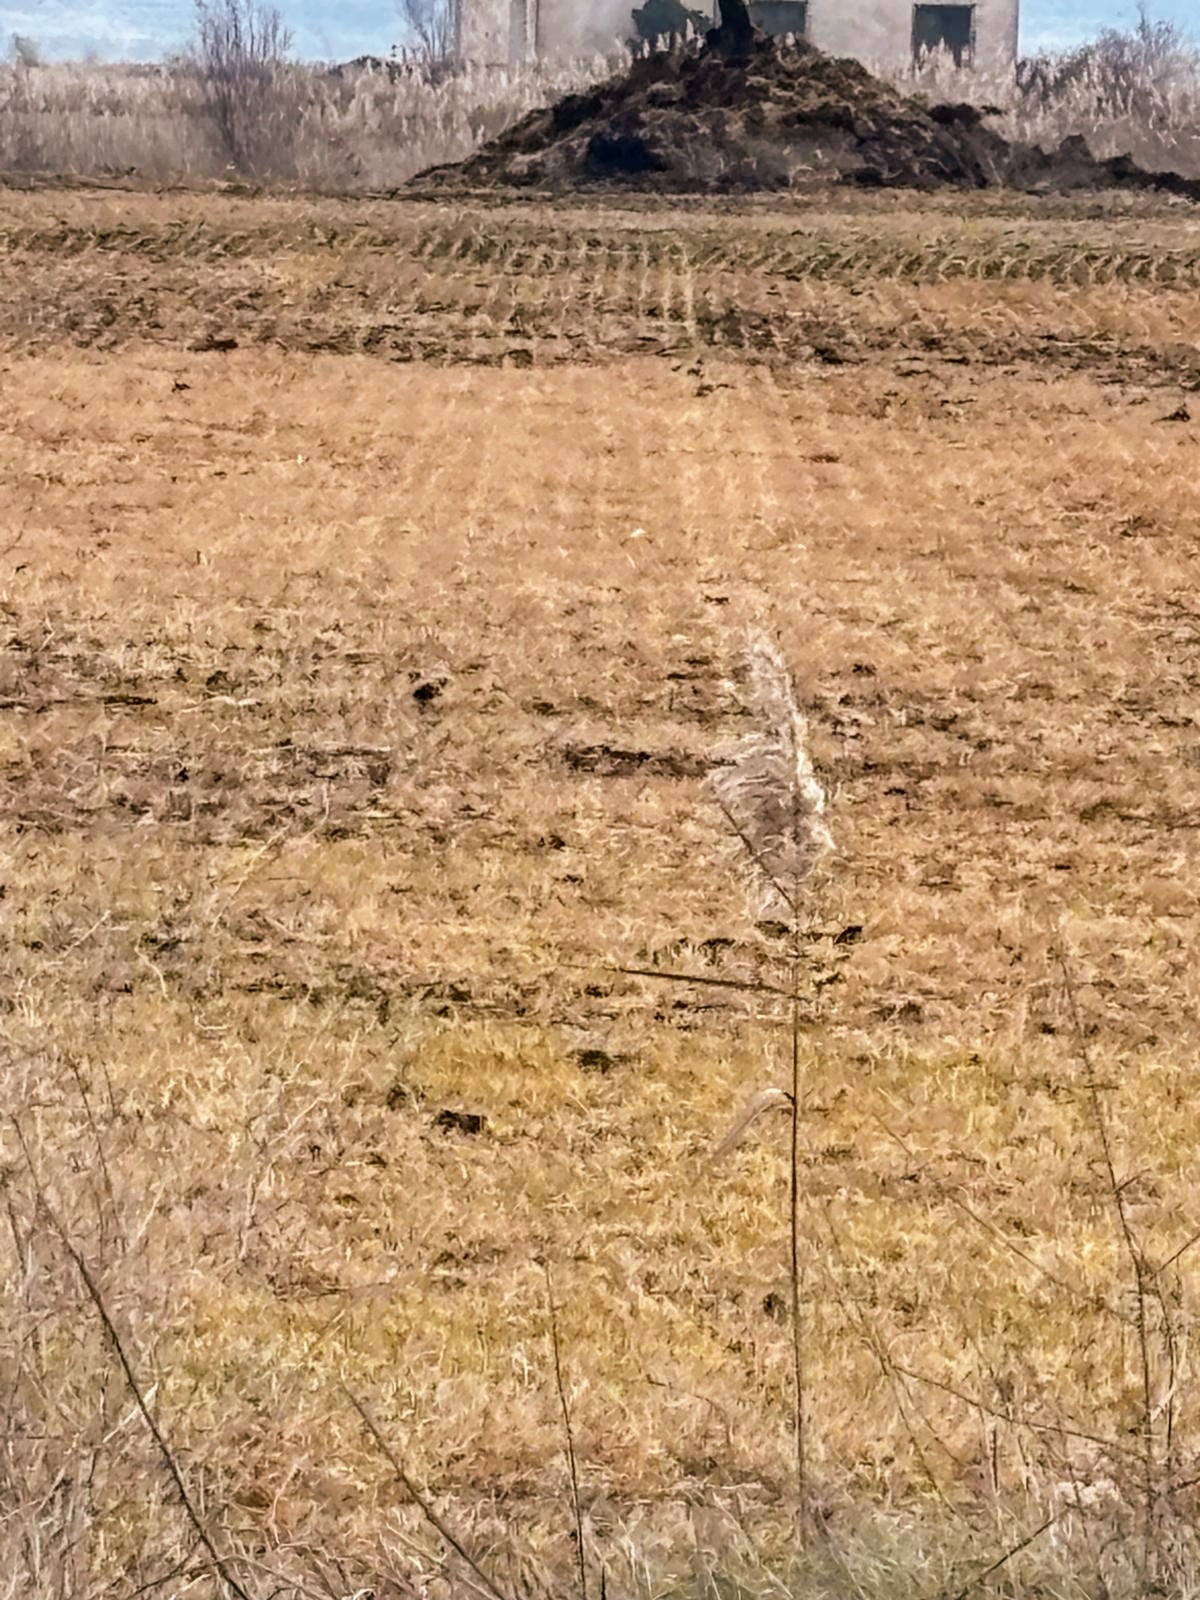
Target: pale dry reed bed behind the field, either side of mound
(369, 129)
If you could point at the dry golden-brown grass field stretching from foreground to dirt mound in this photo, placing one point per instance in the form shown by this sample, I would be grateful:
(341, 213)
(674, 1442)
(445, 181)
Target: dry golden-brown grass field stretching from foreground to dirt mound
(375, 582)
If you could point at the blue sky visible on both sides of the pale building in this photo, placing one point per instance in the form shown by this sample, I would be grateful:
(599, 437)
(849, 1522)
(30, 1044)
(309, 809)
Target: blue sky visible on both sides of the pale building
(146, 30)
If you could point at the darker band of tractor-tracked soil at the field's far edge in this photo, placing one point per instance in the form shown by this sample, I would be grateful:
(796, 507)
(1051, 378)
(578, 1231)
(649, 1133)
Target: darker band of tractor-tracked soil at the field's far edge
(1110, 295)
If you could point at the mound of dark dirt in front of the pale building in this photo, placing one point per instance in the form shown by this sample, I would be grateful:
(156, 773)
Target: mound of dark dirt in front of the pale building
(770, 116)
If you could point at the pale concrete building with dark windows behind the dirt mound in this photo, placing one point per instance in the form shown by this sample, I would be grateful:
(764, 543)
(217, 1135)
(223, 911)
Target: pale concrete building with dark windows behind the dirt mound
(881, 33)
